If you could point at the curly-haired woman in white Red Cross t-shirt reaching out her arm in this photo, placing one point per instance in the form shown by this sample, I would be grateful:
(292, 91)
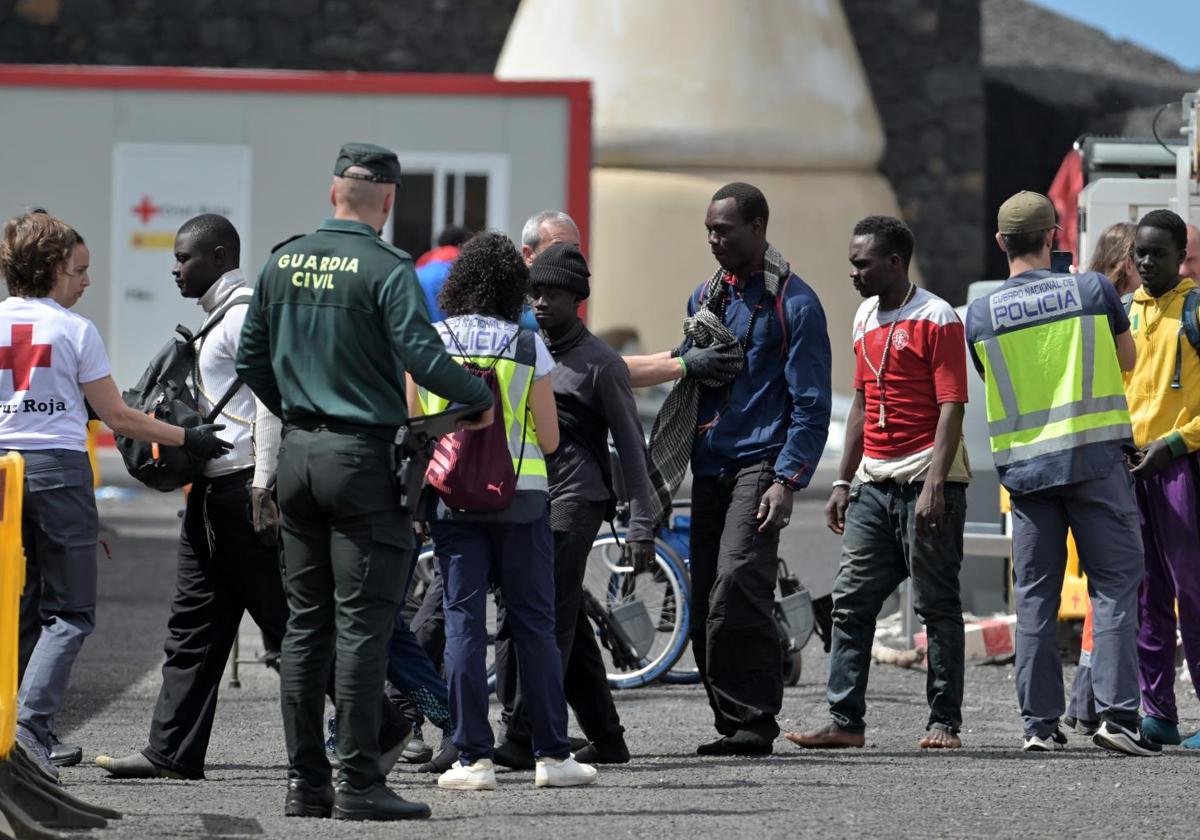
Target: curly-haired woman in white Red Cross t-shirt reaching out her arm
(55, 361)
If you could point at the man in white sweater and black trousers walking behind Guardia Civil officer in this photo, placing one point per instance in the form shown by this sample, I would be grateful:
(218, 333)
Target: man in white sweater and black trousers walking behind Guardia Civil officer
(229, 561)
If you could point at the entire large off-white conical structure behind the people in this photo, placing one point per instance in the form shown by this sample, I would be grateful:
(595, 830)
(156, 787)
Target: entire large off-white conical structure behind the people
(689, 95)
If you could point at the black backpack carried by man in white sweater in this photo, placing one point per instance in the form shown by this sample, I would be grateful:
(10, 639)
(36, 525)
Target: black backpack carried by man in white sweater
(164, 393)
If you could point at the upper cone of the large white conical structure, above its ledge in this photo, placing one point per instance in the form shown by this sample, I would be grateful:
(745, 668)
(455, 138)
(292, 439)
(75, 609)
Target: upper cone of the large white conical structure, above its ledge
(713, 83)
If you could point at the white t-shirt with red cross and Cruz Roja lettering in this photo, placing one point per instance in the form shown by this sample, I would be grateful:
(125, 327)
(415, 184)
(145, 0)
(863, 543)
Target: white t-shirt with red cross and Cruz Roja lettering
(46, 353)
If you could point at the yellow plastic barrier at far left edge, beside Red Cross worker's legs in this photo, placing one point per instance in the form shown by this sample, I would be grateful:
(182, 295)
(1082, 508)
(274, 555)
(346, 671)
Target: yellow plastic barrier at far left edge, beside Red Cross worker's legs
(13, 581)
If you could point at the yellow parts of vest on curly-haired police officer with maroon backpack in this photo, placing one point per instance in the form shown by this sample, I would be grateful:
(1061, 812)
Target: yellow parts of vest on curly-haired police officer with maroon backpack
(514, 365)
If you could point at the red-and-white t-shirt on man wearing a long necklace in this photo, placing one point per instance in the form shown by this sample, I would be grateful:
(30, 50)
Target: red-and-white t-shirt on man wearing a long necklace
(927, 367)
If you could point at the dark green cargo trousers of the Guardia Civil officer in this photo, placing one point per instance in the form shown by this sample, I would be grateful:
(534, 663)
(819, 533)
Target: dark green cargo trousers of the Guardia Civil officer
(347, 550)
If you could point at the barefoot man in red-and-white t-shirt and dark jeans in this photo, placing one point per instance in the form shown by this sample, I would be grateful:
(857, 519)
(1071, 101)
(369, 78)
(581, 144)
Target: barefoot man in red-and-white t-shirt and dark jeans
(901, 499)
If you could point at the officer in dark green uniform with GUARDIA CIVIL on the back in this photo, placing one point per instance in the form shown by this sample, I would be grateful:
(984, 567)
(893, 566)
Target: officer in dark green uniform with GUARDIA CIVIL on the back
(337, 320)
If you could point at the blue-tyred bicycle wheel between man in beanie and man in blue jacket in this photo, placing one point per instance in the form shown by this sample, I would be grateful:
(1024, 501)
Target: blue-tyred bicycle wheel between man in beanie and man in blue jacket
(641, 620)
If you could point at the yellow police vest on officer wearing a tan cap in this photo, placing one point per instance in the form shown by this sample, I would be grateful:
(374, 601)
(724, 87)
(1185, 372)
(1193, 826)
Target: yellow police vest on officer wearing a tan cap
(1054, 385)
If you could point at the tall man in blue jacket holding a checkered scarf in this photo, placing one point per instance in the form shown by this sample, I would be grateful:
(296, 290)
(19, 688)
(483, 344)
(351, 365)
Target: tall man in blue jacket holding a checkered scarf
(753, 413)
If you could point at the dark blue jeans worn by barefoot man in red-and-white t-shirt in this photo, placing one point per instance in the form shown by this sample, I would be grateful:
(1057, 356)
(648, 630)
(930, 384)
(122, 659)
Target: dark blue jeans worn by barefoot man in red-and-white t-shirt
(879, 551)
